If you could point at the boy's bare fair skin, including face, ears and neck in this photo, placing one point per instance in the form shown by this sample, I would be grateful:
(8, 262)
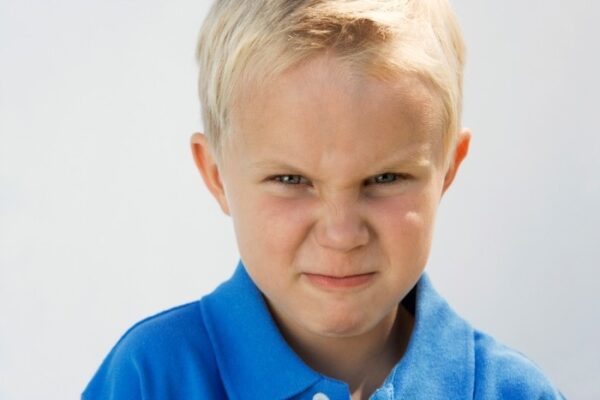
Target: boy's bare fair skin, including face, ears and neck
(333, 180)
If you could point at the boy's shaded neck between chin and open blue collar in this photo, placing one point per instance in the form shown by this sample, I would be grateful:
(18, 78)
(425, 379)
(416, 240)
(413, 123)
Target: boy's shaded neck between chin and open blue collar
(362, 361)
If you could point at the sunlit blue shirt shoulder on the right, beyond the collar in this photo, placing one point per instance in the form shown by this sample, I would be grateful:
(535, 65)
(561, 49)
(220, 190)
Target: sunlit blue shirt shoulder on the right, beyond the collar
(501, 372)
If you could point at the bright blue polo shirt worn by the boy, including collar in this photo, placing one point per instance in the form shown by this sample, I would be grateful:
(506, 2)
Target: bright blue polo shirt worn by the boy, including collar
(227, 346)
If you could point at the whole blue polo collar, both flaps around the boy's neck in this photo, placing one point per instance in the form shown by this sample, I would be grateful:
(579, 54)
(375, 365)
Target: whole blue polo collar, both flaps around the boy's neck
(256, 362)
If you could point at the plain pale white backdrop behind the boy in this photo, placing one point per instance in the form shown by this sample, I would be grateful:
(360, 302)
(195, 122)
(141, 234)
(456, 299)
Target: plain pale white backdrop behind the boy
(104, 219)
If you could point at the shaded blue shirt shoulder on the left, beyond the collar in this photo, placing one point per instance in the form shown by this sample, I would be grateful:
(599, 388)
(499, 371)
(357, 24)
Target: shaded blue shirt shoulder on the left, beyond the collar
(167, 353)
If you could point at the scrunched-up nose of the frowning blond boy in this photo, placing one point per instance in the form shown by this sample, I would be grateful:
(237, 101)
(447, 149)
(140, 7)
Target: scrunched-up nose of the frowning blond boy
(341, 226)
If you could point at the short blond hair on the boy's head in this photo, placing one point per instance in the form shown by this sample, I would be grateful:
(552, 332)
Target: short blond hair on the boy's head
(243, 41)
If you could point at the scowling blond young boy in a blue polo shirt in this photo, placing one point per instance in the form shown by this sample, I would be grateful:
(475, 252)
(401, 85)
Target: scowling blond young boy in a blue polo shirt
(332, 132)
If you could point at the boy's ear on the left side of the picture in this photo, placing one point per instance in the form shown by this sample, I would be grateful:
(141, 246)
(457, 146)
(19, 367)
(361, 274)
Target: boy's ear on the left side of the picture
(209, 169)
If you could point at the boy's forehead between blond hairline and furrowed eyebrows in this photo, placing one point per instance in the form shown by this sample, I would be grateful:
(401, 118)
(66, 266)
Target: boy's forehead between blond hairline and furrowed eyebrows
(325, 109)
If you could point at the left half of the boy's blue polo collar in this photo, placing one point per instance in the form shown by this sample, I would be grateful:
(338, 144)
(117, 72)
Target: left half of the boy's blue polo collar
(253, 358)
